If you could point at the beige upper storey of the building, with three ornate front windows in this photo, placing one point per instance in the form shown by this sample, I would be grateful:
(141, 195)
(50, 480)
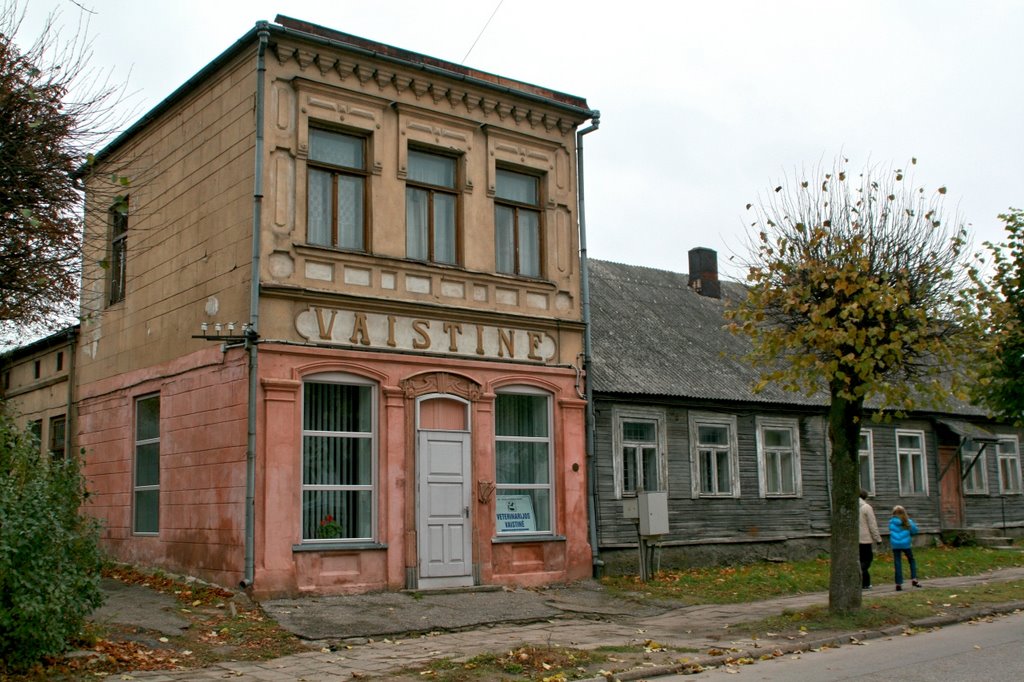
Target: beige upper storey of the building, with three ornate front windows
(184, 245)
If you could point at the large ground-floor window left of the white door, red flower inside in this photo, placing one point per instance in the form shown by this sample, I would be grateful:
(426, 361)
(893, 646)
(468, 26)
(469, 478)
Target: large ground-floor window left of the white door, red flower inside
(338, 456)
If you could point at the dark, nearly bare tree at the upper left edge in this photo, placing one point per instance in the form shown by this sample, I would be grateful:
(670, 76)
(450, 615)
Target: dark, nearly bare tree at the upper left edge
(55, 109)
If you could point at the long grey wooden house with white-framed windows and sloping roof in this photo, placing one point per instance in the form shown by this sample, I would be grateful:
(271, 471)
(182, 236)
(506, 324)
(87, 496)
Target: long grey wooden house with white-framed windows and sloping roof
(747, 476)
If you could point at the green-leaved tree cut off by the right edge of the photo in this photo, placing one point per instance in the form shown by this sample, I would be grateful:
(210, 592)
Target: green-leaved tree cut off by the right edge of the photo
(995, 311)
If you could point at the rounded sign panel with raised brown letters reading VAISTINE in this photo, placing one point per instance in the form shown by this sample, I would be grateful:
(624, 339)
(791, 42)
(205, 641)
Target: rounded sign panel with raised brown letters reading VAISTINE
(372, 330)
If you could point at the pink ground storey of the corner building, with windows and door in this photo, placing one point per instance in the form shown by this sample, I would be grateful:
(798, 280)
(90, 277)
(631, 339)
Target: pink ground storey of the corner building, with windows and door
(373, 471)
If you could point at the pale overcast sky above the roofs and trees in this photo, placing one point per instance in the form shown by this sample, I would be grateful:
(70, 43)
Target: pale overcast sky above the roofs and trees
(705, 105)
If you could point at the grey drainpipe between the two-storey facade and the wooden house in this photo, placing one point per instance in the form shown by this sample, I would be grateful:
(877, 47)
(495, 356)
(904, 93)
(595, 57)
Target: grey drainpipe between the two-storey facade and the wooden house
(588, 389)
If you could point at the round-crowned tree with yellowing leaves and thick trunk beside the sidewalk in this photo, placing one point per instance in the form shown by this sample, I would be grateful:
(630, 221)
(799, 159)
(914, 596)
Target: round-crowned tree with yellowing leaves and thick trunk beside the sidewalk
(851, 283)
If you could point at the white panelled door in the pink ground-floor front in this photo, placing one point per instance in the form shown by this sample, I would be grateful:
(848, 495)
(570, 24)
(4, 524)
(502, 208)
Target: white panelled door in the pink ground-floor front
(445, 532)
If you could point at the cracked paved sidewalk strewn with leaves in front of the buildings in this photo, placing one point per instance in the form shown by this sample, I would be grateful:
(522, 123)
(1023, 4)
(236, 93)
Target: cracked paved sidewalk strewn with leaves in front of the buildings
(364, 636)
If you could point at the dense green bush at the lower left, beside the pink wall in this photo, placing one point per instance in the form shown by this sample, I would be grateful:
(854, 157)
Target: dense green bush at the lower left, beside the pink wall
(50, 556)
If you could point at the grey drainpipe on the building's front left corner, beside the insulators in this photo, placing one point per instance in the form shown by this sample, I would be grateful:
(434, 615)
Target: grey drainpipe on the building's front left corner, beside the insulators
(252, 332)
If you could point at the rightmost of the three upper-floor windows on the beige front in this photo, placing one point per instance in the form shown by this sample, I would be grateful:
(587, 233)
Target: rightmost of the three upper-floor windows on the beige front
(518, 224)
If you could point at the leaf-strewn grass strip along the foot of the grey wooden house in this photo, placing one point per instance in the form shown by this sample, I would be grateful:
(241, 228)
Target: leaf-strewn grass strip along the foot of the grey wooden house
(756, 582)
